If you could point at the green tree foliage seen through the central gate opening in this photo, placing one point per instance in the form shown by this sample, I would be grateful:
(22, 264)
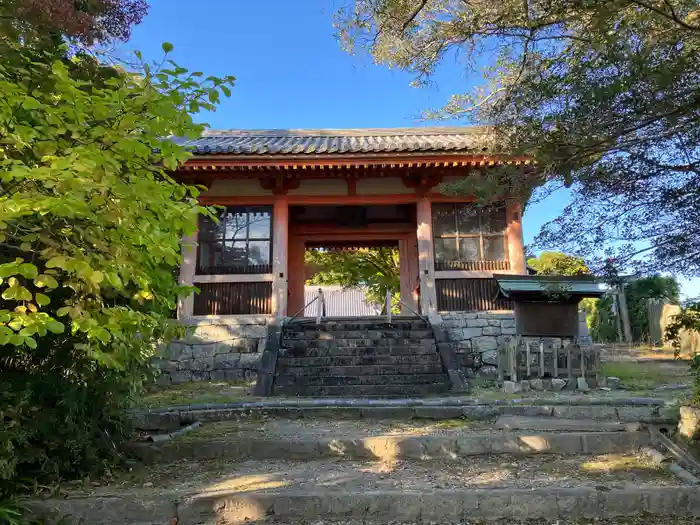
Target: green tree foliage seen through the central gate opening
(376, 269)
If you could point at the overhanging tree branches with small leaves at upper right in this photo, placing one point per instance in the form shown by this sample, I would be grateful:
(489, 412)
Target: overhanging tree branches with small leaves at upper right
(604, 96)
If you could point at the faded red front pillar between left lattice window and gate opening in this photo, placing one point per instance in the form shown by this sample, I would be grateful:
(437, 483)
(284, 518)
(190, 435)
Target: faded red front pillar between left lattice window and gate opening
(280, 248)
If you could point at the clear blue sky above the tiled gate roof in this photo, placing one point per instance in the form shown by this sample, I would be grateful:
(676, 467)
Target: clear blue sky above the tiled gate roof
(291, 72)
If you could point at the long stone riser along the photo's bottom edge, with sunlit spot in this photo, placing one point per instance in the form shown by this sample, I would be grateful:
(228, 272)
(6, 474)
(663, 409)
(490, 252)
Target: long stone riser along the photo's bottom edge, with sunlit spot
(437, 506)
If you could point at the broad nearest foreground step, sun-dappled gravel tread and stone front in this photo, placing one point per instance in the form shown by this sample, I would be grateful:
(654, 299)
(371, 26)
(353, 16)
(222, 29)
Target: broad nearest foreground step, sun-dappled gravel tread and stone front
(568, 489)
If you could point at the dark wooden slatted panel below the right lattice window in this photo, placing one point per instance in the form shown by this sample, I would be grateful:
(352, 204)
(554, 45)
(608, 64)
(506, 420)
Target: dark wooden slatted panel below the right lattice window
(469, 295)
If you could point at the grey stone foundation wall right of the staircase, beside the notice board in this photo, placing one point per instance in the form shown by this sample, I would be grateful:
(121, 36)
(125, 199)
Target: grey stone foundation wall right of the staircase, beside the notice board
(476, 337)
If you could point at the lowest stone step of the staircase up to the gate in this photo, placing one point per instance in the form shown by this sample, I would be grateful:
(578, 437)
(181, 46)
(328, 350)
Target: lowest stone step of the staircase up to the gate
(360, 391)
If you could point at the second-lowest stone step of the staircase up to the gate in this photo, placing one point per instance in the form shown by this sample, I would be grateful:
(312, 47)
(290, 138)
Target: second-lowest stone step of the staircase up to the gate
(370, 376)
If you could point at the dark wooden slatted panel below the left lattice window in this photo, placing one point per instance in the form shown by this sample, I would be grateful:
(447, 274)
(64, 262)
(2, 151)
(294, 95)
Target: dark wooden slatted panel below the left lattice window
(233, 299)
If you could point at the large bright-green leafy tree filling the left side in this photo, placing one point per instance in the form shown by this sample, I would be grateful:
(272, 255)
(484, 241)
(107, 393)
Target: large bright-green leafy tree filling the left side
(90, 229)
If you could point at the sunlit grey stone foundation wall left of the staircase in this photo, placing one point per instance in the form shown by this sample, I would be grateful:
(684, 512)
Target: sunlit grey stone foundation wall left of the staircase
(229, 349)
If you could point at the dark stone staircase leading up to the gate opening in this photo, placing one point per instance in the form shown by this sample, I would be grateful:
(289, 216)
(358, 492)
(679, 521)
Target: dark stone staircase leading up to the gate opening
(359, 357)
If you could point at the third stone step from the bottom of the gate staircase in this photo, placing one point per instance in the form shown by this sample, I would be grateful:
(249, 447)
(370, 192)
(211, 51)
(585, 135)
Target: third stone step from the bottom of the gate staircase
(370, 358)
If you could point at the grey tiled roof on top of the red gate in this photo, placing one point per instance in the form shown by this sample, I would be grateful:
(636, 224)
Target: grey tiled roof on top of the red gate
(341, 141)
